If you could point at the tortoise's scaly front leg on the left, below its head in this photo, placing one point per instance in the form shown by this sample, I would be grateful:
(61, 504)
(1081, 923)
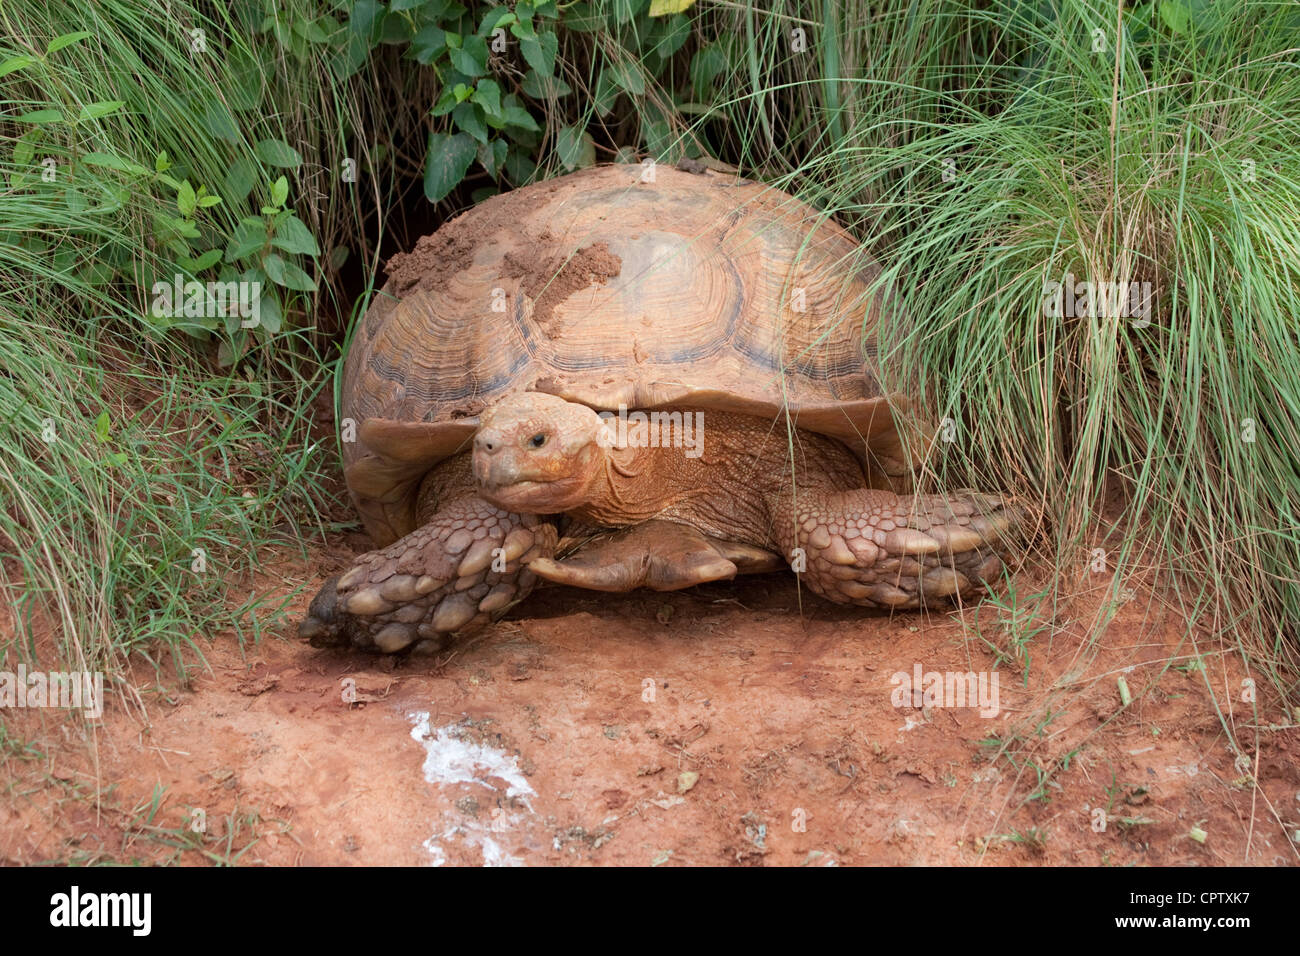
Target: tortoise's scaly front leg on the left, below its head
(458, 572)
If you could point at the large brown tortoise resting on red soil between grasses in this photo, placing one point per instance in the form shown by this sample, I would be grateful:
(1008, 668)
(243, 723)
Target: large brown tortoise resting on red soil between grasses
(632, 377)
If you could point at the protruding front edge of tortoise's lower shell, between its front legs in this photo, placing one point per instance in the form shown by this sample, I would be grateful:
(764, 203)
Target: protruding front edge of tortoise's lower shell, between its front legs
(664, 556)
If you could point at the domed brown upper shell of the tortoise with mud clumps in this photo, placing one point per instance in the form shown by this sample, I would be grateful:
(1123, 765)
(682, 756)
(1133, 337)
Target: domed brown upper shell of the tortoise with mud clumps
(626, 285)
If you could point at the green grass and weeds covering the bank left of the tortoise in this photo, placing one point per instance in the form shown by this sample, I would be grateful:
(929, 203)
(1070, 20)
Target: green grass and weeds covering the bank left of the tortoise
(132, 445)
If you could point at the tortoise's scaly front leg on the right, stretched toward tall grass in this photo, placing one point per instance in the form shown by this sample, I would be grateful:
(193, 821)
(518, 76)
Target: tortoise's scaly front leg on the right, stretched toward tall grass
(876, 548)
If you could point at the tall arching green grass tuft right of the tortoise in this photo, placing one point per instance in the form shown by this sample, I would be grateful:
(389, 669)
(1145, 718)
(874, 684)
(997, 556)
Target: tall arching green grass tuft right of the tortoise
(986, 153)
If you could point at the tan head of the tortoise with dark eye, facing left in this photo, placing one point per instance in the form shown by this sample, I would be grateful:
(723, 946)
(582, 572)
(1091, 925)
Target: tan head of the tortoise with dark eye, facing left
(539, 455)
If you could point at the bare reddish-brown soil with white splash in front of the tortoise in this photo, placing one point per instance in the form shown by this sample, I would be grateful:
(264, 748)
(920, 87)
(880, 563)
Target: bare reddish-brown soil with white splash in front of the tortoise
(720, 725)
